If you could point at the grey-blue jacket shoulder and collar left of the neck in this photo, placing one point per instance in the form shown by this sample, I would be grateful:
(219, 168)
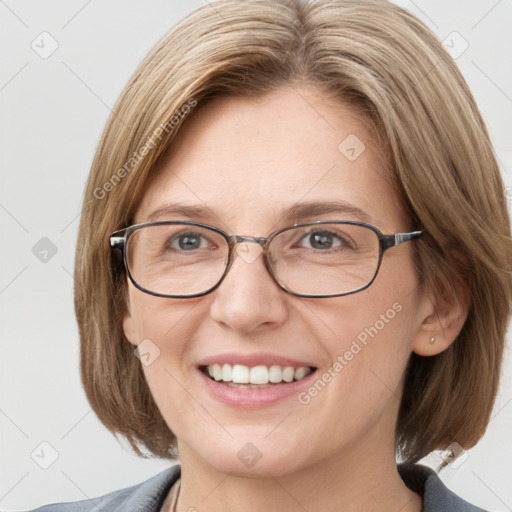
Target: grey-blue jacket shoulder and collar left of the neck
(147, 496)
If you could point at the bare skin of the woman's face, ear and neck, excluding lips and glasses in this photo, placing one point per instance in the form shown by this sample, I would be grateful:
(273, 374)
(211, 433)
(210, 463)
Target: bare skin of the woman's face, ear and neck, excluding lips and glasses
(246, 159)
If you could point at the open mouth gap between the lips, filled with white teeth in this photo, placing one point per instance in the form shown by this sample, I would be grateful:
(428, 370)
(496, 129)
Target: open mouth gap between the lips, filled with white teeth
(260, 376)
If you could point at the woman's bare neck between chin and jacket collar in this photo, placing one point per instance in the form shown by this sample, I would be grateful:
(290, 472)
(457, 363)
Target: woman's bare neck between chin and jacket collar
(351, 482)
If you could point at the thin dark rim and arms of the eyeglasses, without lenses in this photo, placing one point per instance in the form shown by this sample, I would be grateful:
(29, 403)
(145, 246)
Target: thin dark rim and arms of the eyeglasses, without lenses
(119, 240)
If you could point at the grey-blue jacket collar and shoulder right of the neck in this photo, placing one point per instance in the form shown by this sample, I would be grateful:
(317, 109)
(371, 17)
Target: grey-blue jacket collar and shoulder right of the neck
(436, 496)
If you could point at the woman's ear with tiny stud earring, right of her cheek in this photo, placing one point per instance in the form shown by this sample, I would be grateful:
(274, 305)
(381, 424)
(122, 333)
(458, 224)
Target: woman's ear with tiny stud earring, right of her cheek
(443, 319)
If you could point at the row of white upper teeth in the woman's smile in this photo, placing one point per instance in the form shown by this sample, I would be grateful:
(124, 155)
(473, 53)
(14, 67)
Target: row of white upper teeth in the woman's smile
(240, 374)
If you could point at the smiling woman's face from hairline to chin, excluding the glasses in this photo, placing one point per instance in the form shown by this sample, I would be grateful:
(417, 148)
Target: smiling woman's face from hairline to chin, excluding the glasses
(246, 162)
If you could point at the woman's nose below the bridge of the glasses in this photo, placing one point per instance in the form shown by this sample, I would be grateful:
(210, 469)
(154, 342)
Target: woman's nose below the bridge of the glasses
(248, 299)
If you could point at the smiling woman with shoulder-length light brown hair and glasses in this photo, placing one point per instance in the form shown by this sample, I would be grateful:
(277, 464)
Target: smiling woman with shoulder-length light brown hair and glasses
(294, 263)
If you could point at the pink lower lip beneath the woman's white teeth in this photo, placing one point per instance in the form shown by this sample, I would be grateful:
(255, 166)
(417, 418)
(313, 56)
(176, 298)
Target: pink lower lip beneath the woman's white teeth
(254, 398)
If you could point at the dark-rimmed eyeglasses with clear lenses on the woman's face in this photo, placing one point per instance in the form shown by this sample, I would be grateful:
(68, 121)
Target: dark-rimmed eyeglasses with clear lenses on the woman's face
(182, 259)
